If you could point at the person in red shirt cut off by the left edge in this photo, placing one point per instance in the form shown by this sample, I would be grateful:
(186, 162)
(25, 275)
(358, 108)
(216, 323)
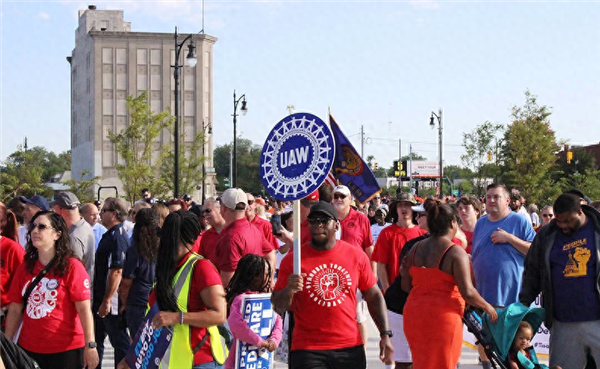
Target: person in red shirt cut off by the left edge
(11, 255)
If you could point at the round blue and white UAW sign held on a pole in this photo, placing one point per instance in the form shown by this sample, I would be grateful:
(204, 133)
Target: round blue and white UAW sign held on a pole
(297, 156)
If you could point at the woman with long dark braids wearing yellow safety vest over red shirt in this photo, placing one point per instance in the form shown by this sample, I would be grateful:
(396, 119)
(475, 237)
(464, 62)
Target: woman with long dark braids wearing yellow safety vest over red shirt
(193, 312)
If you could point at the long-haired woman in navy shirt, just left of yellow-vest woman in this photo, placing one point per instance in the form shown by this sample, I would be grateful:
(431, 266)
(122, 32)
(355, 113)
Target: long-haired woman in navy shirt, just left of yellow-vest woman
(138, 273)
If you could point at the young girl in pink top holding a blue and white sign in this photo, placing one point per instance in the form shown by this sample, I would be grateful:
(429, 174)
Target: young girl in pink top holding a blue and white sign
(253, 275)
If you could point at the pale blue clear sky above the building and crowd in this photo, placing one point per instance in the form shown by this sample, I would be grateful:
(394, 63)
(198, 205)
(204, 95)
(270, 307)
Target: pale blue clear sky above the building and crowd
(383, 65)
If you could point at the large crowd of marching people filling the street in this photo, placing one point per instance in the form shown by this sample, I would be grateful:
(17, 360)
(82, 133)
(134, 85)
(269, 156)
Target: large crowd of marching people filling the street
(76, 273)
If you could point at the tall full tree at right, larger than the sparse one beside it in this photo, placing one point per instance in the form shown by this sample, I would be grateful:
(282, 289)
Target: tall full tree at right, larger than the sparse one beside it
(529, 149)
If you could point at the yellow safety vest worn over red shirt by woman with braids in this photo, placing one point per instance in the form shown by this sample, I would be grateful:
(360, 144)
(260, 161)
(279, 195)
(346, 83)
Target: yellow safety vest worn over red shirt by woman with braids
(180, 354)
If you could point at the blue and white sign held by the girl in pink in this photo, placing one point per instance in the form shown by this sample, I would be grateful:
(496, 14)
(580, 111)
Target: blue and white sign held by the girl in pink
(258, 313)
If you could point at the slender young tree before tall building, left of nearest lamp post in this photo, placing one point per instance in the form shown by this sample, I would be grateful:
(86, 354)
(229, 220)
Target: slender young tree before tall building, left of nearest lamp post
(140, 155)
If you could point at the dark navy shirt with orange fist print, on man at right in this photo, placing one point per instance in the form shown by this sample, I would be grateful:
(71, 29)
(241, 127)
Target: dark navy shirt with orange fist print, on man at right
(573, 262)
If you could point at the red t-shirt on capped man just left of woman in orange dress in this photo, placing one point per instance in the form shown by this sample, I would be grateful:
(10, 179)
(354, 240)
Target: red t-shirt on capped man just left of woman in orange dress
(390, 242)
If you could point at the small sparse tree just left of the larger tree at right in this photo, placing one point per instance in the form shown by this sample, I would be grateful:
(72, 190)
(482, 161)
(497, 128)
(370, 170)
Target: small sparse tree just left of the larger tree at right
(480, 146)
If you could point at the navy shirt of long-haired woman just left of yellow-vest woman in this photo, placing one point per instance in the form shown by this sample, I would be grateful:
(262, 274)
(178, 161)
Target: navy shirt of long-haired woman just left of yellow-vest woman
(142, 274)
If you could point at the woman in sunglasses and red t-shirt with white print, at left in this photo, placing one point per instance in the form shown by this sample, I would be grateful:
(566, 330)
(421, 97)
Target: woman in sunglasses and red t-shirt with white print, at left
(58, 309)
